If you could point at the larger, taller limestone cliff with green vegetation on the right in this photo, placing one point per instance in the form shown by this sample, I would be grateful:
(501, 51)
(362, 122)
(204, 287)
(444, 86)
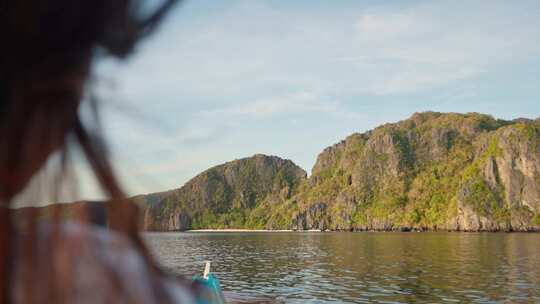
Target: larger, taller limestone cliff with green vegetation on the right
(433, 171)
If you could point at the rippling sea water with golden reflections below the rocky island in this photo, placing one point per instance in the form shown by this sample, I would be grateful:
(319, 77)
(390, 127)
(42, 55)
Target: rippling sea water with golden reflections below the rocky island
(362, 267)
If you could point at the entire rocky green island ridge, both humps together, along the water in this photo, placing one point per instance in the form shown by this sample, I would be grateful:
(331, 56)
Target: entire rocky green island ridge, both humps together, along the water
(433, 171)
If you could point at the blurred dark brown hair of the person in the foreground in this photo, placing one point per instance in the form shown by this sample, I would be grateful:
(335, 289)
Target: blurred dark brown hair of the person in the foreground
(48, 47)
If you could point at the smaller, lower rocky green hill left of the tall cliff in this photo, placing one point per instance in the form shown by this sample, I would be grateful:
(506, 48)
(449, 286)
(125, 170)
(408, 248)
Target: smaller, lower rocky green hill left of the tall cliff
(223, 196)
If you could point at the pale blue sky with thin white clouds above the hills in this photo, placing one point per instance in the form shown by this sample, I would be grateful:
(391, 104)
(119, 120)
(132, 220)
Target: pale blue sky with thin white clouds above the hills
(223, 80)
